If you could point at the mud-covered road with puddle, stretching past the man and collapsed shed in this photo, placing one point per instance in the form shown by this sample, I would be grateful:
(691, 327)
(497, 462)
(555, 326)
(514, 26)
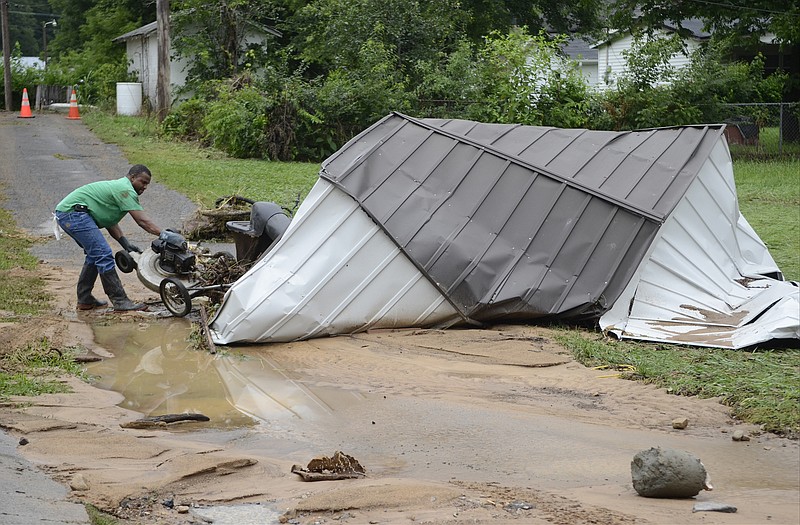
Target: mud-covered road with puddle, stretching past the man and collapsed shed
(459, 426)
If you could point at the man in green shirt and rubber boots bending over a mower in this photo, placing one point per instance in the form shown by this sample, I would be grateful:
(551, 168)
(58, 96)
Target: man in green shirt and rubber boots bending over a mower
(102, 204)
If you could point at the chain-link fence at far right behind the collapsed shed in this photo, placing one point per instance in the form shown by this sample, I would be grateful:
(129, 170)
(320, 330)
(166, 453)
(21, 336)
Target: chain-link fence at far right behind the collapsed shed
(763, 130)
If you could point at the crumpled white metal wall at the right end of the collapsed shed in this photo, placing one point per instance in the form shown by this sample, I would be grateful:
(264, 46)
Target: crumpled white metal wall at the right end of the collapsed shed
(701, 282)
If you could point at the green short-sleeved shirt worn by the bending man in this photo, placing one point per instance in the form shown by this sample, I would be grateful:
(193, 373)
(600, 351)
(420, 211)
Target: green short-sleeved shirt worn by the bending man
(108, 200)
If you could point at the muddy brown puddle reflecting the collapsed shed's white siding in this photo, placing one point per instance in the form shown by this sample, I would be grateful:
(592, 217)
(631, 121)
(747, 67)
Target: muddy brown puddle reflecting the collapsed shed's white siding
(158, 372)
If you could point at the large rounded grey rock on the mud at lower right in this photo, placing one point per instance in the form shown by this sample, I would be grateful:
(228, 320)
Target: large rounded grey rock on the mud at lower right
(667, 473)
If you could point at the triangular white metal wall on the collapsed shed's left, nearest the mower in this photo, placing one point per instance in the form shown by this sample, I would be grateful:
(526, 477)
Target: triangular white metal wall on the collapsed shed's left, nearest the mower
(334, 271)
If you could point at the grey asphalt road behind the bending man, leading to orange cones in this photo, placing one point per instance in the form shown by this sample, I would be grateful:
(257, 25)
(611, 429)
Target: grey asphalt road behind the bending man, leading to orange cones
(44, 158)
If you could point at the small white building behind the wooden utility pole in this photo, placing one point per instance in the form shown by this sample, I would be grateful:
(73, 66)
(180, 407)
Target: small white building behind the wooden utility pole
(141, 46)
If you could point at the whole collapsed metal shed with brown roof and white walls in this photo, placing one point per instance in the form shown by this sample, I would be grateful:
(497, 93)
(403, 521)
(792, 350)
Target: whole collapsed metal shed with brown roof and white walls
(436, 223)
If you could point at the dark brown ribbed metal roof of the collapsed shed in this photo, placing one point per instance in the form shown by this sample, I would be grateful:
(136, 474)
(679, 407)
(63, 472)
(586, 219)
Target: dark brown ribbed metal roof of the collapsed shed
(514, 221)
